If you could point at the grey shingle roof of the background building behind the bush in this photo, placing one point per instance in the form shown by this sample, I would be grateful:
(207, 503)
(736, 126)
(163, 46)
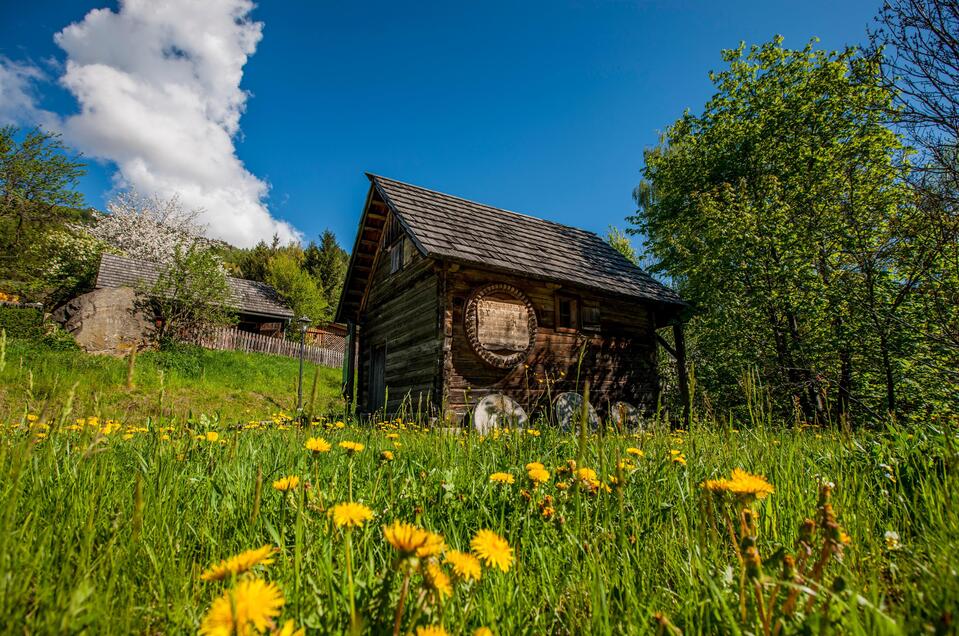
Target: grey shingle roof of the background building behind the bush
(247, 296)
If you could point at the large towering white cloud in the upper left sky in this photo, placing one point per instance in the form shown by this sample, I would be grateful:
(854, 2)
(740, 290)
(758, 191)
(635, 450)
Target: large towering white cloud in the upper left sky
(158, 84)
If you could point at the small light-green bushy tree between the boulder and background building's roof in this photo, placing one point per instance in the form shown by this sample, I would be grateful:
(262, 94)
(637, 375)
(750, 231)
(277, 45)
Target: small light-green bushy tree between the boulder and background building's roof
(191, 295)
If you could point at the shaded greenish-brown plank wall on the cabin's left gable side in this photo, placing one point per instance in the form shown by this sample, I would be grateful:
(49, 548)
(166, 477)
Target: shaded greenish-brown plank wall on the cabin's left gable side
(401, 312)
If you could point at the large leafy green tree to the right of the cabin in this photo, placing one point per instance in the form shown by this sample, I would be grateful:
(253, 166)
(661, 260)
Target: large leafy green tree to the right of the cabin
(781, 213)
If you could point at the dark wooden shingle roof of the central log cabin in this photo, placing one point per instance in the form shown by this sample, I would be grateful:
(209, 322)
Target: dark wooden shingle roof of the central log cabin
(449, 227)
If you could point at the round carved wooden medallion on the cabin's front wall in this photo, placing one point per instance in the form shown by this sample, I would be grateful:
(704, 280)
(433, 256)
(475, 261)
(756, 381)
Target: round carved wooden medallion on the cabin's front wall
(500, 324)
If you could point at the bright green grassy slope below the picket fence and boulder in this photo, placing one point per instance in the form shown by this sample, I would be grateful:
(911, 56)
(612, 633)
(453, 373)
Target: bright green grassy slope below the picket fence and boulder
(234, 386)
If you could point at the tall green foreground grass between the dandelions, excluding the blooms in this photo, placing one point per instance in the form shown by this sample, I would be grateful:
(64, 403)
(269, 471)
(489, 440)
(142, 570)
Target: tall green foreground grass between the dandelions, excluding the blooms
(109, 535)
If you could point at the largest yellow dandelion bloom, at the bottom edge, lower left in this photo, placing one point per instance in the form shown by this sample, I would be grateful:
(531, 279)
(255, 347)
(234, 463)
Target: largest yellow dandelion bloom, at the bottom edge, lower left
(251, 605)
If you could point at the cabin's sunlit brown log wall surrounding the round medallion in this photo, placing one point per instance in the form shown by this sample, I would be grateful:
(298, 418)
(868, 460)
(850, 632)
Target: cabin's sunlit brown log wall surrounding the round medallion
(618, 360)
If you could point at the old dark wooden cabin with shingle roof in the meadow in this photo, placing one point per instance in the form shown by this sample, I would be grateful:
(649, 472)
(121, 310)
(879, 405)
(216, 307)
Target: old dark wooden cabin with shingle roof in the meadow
(447, 300)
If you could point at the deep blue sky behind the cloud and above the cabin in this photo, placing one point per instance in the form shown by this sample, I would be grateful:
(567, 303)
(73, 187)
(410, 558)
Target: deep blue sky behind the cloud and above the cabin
(543, 108)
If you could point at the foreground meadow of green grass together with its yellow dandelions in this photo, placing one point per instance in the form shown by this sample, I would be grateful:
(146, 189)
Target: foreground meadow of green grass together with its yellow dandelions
(171, 524)
